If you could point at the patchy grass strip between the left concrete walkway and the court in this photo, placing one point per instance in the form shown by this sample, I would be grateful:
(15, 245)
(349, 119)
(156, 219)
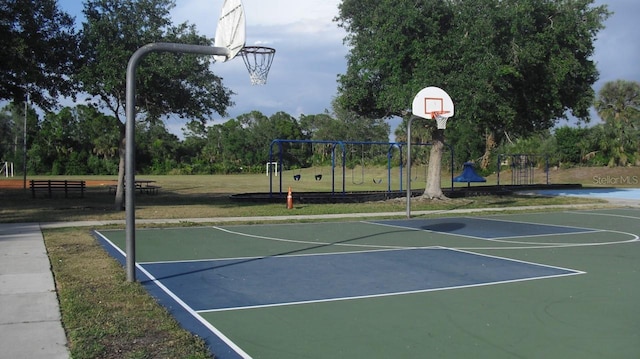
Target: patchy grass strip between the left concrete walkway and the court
(105, 316)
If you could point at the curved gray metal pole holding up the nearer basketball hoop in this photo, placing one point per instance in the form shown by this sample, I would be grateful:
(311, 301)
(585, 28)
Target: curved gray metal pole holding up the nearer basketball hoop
(130, 157)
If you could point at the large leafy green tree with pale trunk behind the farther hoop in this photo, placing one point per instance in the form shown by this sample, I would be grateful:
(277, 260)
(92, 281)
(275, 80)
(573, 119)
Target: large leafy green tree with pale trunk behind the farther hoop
(512, 66)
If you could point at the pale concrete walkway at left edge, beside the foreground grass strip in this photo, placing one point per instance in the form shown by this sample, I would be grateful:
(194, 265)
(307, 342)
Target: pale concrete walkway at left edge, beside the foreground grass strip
(30, 325)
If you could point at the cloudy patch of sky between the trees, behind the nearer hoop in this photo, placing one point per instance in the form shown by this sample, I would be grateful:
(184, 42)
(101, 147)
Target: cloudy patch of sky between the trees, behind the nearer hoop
(309, 53)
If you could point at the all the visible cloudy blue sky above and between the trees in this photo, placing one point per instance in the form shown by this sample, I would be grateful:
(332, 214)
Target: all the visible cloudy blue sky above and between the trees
(310, 53)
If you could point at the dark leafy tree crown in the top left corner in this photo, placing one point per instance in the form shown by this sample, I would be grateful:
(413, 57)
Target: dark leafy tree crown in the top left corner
(37, 52)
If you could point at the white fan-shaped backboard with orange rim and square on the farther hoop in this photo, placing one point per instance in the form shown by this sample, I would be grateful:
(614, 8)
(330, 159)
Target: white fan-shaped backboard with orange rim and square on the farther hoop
(433, 103)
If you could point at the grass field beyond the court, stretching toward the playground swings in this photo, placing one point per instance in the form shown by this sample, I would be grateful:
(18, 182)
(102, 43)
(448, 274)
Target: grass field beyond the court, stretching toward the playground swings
(208, 197)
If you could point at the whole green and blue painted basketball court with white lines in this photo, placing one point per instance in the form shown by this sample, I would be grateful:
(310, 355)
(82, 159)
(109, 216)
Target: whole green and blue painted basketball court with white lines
(534, 285)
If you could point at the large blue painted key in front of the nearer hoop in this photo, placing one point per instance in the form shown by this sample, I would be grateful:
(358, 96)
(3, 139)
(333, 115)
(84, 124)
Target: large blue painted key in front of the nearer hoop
(285, 280)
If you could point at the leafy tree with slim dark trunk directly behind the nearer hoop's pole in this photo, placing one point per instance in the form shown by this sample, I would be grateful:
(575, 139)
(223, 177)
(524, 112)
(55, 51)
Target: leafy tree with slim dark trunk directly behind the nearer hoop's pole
(181, 84)
